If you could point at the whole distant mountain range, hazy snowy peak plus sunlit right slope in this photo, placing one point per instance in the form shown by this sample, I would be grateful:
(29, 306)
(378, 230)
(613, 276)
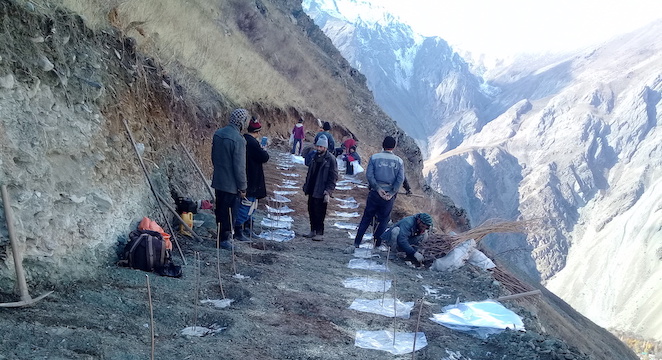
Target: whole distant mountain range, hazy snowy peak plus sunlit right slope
(573, 140)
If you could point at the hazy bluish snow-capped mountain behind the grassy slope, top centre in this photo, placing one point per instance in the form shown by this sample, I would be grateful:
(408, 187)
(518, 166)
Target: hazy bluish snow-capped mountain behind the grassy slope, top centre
(420, 82)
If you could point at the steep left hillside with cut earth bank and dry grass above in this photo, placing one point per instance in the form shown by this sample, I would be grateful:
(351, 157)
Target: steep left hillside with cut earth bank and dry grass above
(71, 74)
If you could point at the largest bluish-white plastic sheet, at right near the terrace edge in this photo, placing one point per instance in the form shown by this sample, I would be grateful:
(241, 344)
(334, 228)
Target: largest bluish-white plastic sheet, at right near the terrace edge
(479, 318)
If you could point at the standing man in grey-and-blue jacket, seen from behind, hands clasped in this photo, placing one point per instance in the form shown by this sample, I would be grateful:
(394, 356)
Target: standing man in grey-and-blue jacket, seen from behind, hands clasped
(385, 175)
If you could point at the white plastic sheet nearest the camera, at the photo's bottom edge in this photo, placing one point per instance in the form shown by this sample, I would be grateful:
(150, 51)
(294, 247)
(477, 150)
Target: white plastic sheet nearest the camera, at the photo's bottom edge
(383, 340)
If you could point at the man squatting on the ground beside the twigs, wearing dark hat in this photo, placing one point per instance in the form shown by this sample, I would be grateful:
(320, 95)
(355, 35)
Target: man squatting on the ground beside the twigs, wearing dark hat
(406, 234)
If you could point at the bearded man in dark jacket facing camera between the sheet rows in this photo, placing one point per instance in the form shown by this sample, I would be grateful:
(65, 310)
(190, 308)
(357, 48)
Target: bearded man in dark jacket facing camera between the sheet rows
(320, 183)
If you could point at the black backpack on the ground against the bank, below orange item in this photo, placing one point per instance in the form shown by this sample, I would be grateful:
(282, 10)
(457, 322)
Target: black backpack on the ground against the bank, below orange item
(146, 250)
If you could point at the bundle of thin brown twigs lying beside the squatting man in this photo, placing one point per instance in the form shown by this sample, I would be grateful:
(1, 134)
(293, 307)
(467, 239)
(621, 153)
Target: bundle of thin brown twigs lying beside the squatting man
(437, 246)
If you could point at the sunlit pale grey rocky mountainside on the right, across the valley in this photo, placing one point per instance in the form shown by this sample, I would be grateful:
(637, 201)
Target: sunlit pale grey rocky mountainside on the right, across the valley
(579, 149)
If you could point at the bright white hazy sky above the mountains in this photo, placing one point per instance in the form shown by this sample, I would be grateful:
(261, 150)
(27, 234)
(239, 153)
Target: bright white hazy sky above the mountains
(502, 27)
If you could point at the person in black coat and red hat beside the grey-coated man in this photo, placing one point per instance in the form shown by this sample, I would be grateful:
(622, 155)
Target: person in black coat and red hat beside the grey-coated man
(256, 156)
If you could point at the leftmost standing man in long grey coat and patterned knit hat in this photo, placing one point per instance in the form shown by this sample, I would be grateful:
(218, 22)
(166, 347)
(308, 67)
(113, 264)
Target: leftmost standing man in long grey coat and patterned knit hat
(228, 155)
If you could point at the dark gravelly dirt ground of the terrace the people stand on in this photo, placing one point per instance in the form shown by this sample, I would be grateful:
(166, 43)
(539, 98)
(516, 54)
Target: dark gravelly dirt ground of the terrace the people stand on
(289, 303)
